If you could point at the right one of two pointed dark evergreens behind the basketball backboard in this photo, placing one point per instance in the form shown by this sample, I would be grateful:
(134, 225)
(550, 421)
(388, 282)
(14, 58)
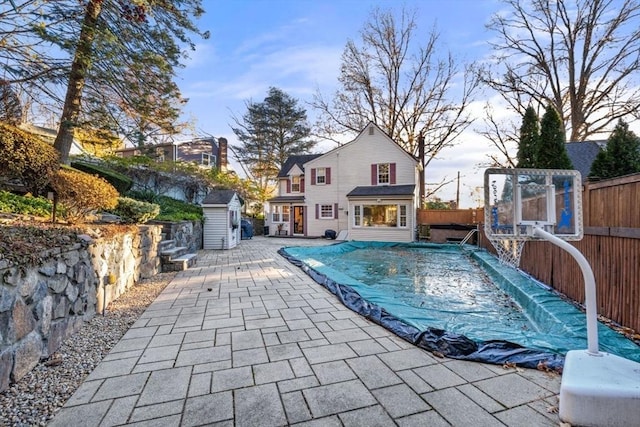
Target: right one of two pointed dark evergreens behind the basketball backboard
(552, 151)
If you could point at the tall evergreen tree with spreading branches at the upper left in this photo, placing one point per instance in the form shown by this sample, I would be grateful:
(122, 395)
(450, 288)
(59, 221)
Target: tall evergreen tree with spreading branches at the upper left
(114, 62)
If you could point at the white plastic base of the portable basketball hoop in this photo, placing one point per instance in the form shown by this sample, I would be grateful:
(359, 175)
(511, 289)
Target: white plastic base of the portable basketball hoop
(601, 390)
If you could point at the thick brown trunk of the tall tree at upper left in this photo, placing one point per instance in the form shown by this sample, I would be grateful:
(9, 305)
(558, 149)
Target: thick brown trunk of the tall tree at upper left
(81, 62)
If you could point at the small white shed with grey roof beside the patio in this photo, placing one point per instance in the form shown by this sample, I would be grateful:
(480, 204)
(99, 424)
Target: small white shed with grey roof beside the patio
(221, 210)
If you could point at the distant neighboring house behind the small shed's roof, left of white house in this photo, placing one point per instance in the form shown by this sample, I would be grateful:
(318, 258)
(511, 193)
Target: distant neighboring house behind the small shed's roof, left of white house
(205, 152)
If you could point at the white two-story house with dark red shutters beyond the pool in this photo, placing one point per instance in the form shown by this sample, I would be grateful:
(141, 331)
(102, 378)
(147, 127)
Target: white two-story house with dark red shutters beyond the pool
(363, 190)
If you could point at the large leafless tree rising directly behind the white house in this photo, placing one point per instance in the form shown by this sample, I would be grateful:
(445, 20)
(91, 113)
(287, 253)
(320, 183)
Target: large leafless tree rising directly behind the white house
(407, 89)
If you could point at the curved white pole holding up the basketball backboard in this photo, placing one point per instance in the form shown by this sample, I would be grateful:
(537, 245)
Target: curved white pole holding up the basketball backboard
(589, 287)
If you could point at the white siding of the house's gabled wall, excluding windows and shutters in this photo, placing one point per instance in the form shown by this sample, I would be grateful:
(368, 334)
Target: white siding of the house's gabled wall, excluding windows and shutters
(351, 167)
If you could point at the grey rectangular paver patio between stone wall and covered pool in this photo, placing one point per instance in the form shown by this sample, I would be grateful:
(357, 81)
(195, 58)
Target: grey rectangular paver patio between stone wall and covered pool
(244, 338)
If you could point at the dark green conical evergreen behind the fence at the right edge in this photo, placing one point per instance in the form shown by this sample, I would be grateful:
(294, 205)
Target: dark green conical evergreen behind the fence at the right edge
(620, 157)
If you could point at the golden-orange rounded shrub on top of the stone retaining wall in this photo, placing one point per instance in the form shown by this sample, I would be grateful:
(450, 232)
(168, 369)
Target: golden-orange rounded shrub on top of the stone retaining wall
(82, 194)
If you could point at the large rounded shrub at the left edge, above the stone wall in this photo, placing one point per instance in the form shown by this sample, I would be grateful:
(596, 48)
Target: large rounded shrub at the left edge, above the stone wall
(26, 158)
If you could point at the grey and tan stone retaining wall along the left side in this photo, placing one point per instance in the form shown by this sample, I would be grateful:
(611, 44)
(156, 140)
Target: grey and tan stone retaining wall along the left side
(40, 306)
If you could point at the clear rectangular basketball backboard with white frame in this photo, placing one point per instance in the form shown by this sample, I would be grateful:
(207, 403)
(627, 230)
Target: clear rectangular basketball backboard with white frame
(516, 200)
